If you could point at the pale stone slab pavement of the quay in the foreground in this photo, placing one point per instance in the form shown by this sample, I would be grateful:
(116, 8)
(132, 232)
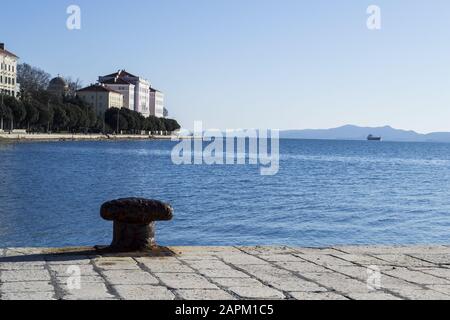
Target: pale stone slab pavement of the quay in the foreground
(228, 273)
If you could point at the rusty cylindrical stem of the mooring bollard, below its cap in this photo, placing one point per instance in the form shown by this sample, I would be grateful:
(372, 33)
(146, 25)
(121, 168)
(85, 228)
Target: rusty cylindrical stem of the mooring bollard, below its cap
(133, 237)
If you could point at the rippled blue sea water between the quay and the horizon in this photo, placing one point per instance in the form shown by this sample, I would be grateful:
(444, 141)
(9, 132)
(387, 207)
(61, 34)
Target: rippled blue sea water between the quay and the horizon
(326, 193)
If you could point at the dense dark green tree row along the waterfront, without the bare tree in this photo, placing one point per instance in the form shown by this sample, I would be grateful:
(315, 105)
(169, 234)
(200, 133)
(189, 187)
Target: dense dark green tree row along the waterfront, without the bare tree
(42, 114)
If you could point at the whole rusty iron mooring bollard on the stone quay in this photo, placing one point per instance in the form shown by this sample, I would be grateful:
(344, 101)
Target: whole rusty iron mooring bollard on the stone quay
(134, 222)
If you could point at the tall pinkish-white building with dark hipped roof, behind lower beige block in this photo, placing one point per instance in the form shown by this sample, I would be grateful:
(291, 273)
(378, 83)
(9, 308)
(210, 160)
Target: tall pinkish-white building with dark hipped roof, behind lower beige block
(141, 89)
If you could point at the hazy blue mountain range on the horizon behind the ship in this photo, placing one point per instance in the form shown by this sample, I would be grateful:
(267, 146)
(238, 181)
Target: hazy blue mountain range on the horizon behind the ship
(351, 132)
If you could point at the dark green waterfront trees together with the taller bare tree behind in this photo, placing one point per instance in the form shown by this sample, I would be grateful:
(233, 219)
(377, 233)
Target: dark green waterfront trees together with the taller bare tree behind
(38, 110)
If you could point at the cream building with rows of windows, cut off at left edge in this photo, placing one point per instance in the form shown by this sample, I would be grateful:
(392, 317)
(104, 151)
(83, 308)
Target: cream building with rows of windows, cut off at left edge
(8, 72)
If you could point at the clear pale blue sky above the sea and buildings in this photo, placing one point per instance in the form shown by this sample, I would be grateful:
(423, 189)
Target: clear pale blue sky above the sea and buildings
(255, 63)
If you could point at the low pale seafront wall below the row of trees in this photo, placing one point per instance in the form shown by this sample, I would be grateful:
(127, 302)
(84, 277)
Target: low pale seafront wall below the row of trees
(77, 137)
